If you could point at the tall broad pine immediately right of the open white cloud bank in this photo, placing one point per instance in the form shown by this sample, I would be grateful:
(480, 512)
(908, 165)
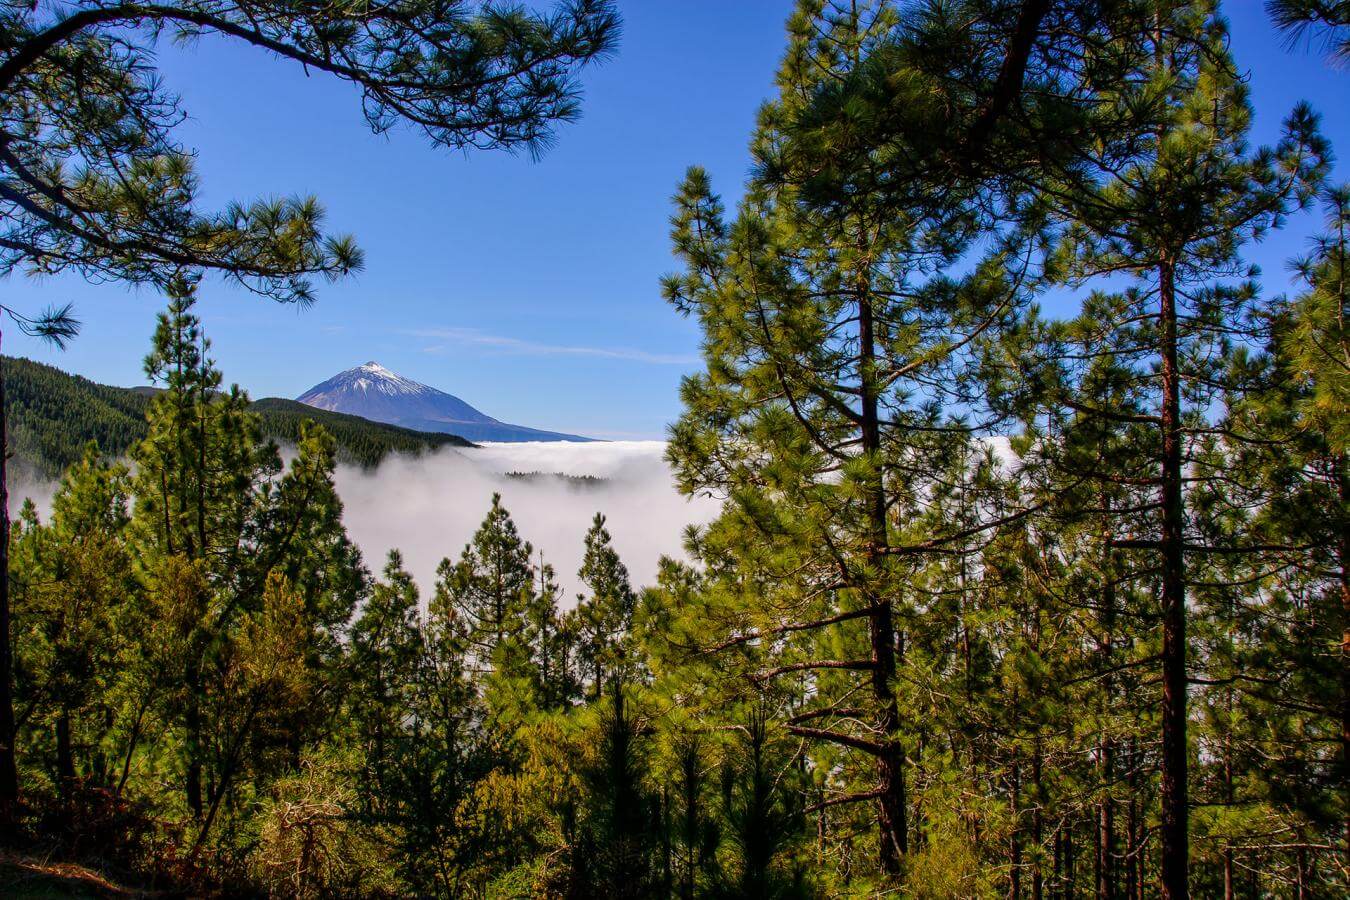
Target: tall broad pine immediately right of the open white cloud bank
(836, 347)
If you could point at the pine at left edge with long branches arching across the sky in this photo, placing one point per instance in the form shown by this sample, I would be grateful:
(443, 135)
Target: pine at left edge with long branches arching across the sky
(98, 183)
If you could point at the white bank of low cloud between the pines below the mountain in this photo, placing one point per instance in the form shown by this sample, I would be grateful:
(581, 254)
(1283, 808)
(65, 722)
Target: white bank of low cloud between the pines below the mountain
(430, 507)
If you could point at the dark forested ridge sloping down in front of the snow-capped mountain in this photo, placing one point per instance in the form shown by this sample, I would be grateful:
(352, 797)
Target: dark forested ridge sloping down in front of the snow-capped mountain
(52, 415)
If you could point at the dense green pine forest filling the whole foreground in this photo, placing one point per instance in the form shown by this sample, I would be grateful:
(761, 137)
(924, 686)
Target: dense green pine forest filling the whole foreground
(1000, 604)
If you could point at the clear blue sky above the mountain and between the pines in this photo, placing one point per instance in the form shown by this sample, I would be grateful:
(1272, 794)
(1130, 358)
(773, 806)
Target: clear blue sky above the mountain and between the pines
(530, 289)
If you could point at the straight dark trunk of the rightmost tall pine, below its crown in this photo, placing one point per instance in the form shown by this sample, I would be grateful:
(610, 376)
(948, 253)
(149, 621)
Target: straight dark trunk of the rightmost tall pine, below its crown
(1174, 828)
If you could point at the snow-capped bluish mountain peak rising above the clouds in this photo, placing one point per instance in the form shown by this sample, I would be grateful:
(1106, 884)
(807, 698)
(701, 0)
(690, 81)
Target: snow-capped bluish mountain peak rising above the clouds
(379, 395)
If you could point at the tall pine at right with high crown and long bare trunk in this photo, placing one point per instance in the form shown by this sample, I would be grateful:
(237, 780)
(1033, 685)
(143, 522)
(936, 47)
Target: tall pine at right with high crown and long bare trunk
(1175, 221)
